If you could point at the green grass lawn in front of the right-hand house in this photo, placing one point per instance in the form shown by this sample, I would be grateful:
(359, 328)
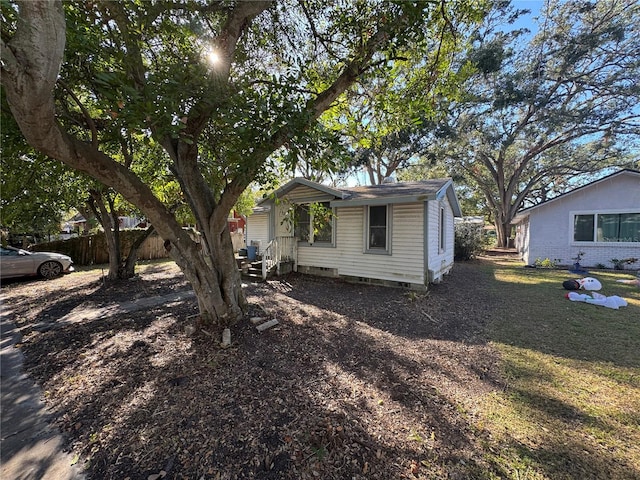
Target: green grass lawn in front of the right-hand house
(570, 408)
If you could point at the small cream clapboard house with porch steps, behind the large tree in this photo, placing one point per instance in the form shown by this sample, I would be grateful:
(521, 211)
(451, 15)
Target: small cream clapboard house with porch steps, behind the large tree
(396, 233)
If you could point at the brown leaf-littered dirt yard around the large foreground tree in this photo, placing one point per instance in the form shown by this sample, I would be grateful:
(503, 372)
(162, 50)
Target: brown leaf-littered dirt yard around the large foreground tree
(355, 381)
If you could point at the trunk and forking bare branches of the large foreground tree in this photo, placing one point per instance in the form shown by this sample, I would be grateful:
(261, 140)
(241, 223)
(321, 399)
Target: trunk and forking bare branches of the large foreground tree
(32, 59)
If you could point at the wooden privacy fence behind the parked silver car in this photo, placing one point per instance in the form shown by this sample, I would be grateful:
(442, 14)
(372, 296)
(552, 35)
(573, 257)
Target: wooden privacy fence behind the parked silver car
(92, 249)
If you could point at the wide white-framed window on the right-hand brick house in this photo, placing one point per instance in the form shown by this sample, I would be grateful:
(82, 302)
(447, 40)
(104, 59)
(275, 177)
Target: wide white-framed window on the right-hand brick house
(607, 227)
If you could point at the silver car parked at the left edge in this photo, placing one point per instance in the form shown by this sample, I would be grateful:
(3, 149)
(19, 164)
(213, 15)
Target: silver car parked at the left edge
(15, 262)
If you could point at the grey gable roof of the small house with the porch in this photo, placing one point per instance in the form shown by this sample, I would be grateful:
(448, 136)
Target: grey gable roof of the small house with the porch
(403, 192)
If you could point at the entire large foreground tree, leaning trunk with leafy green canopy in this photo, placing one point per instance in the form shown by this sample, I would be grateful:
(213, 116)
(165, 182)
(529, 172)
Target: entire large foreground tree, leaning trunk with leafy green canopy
(220, 86)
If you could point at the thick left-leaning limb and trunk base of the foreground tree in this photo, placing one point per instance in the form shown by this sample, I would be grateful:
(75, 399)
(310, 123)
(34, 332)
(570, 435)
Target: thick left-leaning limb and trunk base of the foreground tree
(31, 63)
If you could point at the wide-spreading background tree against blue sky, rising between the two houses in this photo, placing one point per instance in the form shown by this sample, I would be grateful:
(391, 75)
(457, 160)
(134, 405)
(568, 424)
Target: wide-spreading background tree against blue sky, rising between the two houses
(538, 112)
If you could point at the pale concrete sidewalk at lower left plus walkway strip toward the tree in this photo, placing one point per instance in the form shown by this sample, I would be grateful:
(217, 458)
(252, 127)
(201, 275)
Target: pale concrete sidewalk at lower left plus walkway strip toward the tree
(30, 448)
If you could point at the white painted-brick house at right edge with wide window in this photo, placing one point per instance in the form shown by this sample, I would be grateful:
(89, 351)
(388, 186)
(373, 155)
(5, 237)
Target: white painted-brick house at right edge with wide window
(601, 219)
